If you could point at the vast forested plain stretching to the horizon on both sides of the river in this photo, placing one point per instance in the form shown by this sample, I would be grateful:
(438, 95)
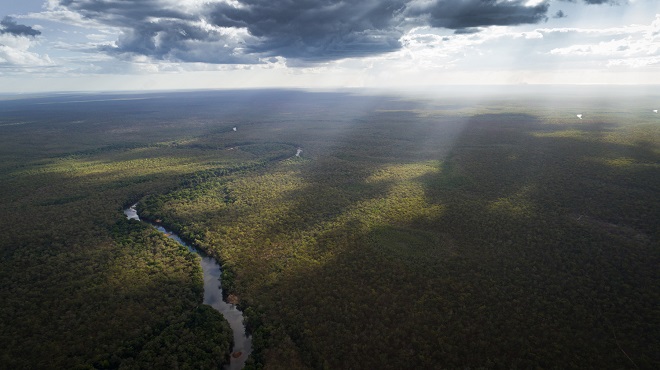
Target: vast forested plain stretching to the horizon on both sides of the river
(446, 232)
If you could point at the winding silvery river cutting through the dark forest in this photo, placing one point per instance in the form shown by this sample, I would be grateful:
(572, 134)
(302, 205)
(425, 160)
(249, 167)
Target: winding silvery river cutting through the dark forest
(213, 297)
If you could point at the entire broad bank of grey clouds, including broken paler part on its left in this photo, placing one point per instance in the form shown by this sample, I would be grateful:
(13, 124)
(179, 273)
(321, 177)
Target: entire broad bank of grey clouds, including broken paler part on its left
(304, 30)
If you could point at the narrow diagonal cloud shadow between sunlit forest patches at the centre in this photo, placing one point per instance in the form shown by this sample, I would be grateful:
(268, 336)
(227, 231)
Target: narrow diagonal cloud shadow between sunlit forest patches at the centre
(337, 176)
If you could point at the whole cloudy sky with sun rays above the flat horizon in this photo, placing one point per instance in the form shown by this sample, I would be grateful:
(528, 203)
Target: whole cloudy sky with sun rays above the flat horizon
(104, 45)
